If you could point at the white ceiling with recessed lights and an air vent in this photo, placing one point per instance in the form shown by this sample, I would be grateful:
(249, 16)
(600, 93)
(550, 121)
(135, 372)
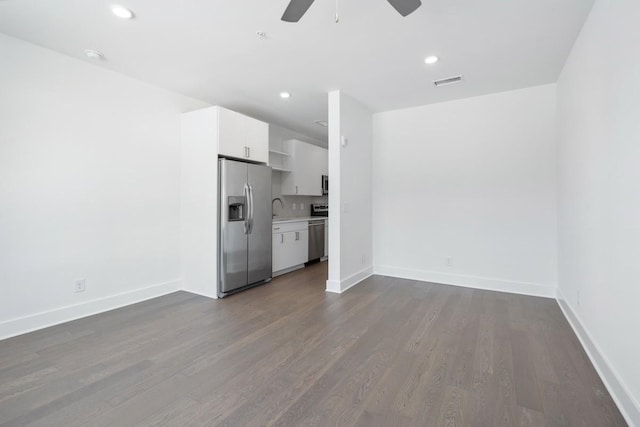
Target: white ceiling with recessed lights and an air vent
(208, 49)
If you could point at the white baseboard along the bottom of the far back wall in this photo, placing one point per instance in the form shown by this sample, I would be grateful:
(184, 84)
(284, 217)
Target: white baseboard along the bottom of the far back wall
(486, 283)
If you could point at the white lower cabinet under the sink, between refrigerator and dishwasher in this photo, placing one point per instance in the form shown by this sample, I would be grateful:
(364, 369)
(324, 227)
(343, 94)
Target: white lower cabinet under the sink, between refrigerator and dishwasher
(290, 244)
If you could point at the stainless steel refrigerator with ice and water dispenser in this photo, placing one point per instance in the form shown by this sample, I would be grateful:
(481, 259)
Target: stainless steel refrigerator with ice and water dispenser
(244, 232)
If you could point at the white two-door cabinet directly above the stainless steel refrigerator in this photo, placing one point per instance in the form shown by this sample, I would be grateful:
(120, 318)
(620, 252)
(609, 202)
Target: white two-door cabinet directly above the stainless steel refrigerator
(242, 137)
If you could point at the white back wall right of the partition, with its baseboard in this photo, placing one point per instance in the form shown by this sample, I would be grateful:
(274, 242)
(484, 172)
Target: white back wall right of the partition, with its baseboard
(473, 180)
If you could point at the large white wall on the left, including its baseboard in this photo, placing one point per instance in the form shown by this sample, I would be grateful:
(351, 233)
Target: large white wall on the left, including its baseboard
(89, 188)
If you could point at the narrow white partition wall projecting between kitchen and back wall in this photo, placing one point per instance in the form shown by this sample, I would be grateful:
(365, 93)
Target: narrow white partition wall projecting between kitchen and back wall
(350, 217)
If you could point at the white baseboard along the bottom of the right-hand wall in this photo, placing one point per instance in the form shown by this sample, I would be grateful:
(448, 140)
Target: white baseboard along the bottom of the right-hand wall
(629, 407)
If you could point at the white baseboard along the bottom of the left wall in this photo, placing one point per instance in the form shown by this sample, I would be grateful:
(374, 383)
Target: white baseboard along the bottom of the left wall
(22, 325)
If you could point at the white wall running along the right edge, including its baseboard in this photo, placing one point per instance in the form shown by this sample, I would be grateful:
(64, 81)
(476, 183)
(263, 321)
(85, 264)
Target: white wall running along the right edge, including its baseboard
(599, 213)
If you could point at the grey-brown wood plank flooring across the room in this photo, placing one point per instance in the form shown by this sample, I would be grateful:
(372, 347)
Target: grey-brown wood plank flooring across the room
(388, 352)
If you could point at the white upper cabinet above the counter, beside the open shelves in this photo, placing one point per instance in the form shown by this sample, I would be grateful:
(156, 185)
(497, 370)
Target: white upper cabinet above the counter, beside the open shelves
(307, 163)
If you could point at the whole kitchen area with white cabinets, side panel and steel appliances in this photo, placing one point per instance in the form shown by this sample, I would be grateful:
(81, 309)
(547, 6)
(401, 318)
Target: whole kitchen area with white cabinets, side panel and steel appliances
(255, 199)
